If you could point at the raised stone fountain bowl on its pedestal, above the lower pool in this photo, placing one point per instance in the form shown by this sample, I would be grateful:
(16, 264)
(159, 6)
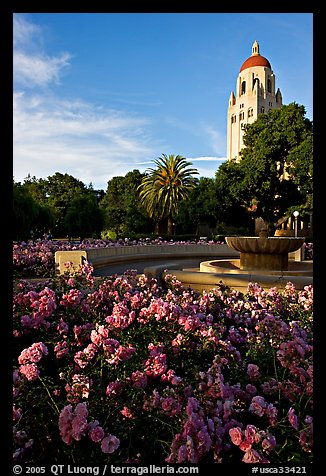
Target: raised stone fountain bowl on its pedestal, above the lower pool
(266, 254)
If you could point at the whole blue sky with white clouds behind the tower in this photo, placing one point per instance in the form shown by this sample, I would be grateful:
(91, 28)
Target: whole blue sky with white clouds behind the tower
(99, 94)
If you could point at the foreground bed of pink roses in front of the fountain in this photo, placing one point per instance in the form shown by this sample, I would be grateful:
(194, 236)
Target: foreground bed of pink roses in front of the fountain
(118, 369)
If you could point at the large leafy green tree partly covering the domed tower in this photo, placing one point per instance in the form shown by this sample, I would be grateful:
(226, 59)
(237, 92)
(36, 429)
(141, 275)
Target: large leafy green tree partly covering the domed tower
(276, 156)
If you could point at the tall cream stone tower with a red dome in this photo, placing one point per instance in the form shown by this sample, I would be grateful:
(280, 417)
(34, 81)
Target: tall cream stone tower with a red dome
(255, 94)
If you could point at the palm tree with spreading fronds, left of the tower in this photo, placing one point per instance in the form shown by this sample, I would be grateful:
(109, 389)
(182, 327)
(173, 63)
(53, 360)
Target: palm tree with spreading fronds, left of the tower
(162, 188)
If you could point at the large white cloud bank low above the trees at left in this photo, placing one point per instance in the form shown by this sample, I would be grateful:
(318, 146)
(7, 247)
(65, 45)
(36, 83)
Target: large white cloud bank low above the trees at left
(75, 138)
